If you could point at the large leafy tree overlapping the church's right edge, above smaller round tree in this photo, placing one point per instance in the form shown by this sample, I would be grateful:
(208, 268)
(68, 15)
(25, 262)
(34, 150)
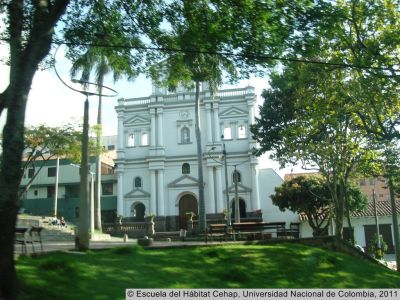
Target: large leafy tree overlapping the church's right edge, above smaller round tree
(308, 117)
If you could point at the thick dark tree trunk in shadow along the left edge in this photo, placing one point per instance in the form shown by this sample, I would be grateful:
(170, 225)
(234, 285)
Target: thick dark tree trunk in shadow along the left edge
(29, 29)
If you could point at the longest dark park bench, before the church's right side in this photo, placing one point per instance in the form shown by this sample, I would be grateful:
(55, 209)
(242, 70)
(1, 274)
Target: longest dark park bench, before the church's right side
(258, 230)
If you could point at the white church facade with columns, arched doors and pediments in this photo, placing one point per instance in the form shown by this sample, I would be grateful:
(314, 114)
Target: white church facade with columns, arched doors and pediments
(157, 158)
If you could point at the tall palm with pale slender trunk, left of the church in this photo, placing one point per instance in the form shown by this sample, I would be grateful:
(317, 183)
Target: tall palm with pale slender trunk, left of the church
(102, 61)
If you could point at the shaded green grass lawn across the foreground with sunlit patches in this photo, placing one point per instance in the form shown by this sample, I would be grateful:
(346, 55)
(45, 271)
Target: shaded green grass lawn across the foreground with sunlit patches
(105, 274)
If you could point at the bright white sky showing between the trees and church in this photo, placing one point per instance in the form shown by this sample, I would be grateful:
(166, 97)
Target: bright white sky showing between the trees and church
(51, 103)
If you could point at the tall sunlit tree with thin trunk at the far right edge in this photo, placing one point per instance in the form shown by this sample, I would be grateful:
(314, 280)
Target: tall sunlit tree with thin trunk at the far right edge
(366, 36)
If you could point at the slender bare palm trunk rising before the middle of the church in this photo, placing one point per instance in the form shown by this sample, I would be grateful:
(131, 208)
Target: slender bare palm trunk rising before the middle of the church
(202, 210)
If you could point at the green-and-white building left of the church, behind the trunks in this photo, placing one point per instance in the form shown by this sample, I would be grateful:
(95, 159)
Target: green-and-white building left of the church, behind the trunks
(39, 196)
